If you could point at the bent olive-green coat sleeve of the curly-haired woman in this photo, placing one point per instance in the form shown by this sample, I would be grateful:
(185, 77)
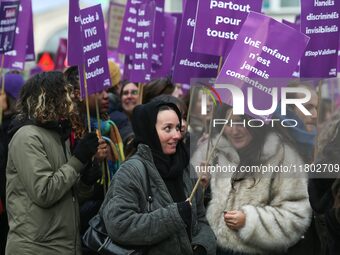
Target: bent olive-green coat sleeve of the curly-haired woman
(44, 185)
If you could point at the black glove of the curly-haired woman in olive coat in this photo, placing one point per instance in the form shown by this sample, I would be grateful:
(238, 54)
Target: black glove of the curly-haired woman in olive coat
(86, 147)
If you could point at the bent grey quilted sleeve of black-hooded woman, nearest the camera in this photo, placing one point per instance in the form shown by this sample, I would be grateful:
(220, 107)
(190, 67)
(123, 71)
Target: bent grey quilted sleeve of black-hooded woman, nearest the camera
(124, 220)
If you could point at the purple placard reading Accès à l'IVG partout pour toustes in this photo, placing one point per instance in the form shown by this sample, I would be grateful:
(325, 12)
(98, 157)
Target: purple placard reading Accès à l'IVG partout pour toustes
(94, 49)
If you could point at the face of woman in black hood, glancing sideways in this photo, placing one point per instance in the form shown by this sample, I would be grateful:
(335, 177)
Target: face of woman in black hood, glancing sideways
(168, 130)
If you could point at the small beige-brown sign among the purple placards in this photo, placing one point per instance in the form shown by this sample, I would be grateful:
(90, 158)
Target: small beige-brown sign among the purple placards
(116, 14)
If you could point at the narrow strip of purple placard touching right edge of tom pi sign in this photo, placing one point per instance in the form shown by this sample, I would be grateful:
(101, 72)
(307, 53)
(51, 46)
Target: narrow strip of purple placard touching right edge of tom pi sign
(158, 33)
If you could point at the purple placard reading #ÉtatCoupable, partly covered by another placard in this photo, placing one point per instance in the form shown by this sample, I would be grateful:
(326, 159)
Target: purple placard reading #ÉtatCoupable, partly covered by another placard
(187, 64)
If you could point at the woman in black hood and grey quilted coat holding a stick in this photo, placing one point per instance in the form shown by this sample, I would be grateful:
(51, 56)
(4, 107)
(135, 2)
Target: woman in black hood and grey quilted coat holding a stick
(173, 225)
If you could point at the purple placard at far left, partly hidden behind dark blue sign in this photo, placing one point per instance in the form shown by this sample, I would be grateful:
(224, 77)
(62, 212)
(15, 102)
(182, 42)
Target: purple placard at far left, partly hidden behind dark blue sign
(15, 59)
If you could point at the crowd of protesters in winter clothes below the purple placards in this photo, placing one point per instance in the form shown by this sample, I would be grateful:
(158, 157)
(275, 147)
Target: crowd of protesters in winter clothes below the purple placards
(127, 161)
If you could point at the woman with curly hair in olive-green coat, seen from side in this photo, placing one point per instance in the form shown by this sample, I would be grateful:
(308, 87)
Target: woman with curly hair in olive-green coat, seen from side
(41, 200)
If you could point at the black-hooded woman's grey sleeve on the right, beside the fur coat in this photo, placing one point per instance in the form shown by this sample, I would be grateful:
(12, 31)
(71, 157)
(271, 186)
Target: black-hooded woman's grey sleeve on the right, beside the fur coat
(205, 236)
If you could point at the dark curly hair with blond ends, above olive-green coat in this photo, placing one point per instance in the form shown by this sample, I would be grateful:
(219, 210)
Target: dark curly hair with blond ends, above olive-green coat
(45, 97)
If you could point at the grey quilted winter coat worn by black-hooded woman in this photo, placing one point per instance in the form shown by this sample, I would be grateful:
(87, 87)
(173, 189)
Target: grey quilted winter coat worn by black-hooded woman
(124, 210)
